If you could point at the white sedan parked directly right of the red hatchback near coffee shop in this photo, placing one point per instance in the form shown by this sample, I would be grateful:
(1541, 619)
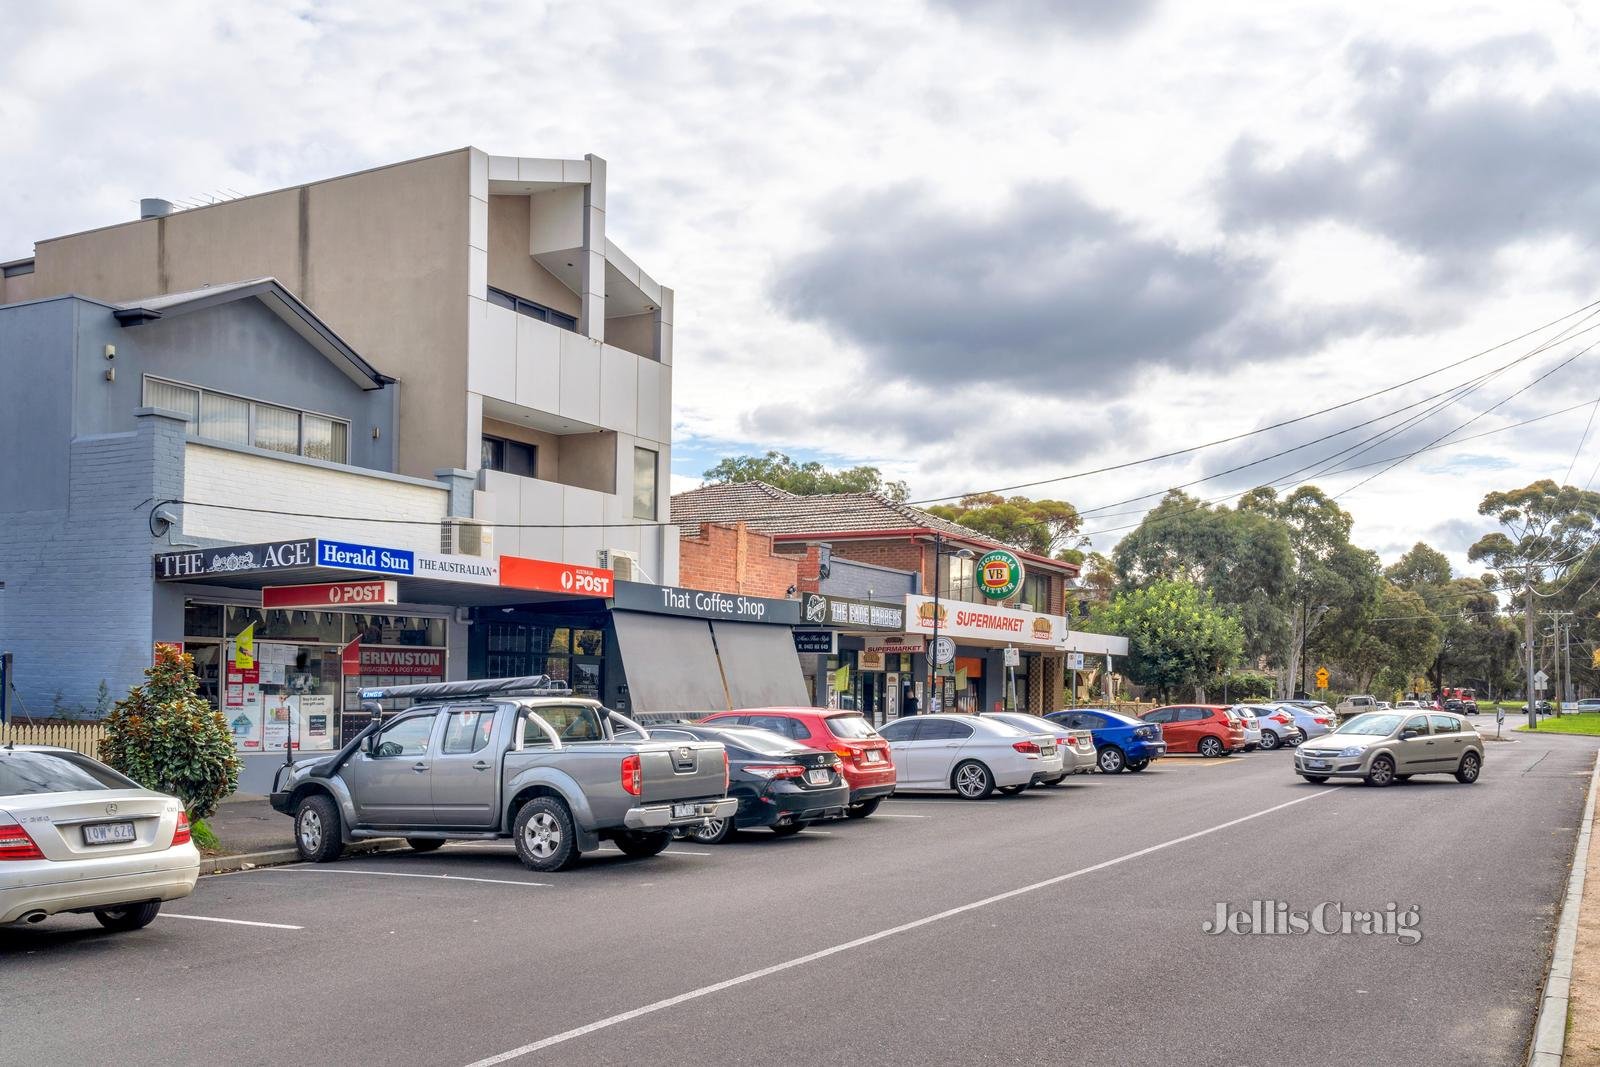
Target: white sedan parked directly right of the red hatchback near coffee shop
(970, 754)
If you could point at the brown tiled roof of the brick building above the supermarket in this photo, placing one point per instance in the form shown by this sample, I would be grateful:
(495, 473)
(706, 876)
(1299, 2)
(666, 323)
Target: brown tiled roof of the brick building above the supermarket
(774, 511)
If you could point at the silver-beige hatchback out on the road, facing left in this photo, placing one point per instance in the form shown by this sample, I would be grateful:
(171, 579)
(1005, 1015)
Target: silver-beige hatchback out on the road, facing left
(1393, 746)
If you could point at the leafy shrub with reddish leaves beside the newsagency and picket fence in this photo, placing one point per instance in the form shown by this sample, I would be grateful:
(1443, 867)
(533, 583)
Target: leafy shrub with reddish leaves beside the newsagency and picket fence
(167, 738)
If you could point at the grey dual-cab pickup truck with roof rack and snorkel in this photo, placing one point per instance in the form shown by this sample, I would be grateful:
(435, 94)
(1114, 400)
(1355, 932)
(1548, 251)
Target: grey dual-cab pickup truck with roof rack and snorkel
(506, 757)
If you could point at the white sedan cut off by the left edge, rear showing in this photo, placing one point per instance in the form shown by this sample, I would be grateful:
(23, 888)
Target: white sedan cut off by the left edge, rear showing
(79, 837)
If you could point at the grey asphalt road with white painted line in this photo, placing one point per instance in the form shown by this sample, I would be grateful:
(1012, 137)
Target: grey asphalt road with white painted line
(1058, 927)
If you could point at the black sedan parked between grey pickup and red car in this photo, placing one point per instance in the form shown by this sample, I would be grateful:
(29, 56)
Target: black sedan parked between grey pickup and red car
(780, 785)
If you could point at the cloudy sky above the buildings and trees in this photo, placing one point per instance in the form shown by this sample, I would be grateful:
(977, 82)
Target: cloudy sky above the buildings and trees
(974, 244)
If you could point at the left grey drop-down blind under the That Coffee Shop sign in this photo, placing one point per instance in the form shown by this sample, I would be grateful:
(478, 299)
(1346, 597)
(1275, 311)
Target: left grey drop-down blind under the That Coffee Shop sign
(671, 663)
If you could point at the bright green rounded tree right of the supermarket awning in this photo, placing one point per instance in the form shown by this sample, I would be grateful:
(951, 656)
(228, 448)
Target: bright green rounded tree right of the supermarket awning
(1178, 639)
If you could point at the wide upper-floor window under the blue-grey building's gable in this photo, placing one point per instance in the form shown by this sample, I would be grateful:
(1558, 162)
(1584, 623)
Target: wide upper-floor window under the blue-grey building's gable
(218, 417)
